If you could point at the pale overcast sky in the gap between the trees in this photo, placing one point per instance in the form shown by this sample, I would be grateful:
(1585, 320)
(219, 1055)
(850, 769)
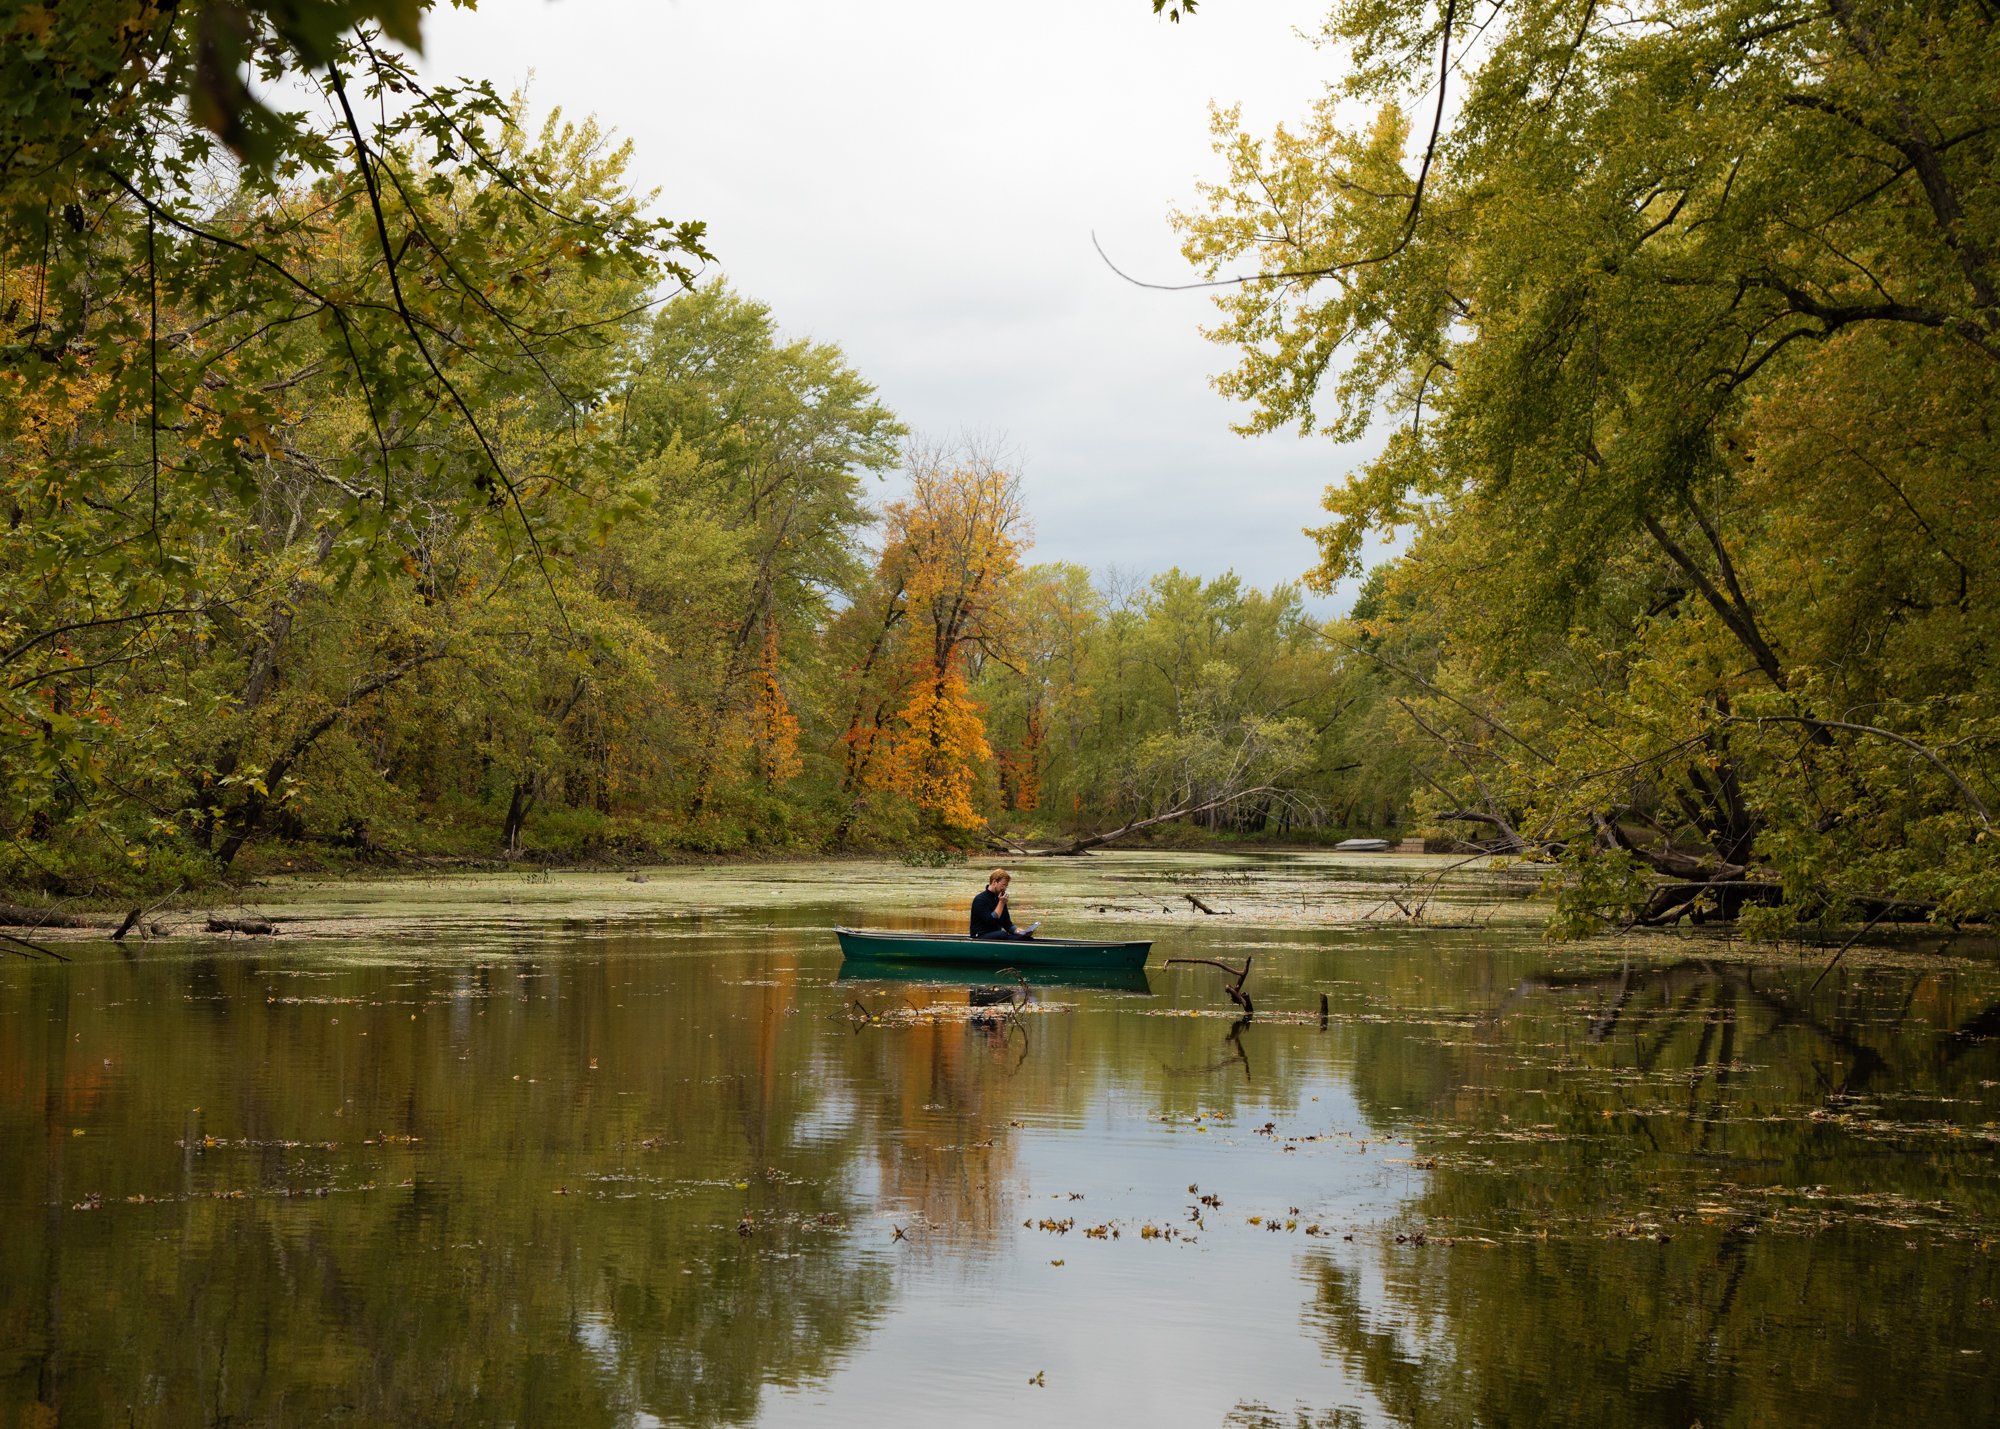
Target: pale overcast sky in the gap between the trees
(919, 183)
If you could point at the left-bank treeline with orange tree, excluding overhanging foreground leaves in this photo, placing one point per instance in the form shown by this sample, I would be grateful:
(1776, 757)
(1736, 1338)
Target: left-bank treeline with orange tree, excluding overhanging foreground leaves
(725, 645)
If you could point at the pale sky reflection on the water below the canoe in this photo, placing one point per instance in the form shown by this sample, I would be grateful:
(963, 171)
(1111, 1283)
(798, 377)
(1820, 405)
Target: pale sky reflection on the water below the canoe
(1129, 1330)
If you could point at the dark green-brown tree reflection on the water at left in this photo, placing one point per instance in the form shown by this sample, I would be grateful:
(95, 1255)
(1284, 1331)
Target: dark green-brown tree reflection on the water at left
(527, 1258)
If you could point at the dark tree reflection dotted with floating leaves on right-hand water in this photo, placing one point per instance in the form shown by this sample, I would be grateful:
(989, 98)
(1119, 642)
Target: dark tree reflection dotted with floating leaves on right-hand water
(1639, 1154)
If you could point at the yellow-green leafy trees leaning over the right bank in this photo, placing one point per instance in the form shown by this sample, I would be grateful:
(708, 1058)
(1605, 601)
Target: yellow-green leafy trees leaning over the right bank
(1689, 327)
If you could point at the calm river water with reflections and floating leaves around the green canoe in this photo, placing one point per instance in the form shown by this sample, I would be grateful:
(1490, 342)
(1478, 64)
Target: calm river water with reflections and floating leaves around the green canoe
(591, 1152)
